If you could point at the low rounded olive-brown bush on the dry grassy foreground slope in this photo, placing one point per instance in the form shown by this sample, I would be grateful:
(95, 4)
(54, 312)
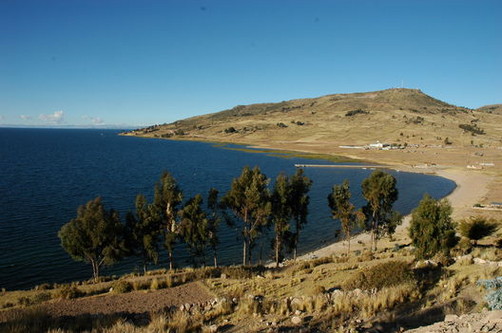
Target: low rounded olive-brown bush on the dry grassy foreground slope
(386, 274)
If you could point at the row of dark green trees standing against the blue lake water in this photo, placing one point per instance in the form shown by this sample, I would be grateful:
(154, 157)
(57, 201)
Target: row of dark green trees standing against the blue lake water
(98, 236)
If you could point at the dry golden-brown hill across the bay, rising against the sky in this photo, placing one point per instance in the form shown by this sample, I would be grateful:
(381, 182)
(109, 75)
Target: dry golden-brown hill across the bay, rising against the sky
(392, 115)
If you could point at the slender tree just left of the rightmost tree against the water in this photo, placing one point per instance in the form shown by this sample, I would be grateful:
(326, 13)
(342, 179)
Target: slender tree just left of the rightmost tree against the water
(343, 210)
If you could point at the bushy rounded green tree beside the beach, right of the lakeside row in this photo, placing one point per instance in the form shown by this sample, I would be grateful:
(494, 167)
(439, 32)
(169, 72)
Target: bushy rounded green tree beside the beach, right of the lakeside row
(431, 228)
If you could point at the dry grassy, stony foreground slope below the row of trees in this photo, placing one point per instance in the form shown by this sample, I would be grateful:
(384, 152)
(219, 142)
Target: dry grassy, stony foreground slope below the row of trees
(386, 289)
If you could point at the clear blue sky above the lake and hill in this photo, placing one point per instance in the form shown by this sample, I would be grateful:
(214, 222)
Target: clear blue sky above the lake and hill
(127, 62)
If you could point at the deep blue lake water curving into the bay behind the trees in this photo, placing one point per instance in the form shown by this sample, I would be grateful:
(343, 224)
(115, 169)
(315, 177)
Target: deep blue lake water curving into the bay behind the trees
(45, 174)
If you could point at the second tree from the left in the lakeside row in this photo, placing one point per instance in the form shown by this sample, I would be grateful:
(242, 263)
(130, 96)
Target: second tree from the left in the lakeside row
(143, 231)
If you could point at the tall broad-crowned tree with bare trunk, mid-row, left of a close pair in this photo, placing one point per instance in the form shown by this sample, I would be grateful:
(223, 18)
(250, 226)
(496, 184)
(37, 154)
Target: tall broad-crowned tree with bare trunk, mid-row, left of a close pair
(248, 198)
